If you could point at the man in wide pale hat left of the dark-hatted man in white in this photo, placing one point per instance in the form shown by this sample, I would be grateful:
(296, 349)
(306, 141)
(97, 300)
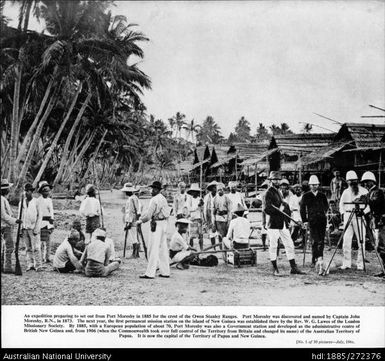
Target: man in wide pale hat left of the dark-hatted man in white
(132, 214)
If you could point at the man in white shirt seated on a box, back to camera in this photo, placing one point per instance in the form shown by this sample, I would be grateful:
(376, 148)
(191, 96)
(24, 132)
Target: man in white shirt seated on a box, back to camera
(239, 230)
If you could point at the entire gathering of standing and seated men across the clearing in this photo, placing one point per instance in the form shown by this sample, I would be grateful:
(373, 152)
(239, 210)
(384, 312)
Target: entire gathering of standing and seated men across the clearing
(221, 215)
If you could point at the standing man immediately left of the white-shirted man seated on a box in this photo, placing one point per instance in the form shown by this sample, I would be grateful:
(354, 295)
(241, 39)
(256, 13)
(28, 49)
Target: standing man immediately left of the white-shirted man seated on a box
(221, 212)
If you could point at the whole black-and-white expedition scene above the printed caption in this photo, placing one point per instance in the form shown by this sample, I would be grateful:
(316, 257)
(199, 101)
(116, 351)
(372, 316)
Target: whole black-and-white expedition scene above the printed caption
(203, 153)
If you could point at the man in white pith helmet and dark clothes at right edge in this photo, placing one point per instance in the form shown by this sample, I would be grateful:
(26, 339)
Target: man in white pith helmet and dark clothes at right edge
(376, 200)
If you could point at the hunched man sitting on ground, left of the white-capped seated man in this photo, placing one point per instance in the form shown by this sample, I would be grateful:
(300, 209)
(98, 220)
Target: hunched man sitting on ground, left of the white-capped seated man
(65, 260)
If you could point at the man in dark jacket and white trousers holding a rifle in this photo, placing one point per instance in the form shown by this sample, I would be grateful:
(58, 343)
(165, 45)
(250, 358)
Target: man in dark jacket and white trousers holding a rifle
(278, 224)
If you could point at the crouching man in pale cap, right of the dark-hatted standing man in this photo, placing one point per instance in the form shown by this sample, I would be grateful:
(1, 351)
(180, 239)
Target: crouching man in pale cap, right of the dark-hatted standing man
(180, 252)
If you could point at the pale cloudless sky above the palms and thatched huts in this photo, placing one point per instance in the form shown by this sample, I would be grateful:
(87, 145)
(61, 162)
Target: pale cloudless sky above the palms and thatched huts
(269, 61)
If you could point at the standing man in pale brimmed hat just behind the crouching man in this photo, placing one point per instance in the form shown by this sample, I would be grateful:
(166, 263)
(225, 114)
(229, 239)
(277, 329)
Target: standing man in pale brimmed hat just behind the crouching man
(195, 205)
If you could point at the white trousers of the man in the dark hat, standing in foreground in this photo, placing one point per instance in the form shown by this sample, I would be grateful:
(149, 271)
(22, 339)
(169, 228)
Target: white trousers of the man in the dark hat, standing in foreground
(157, 251)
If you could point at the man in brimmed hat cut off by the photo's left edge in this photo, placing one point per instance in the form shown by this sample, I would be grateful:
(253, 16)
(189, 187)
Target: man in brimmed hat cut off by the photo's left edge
(7, 223)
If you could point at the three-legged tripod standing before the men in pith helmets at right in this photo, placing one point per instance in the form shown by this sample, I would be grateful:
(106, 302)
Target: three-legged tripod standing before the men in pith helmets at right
(361, 222)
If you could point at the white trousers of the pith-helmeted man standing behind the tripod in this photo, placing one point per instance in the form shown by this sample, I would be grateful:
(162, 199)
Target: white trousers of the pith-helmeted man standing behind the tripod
(347, 243)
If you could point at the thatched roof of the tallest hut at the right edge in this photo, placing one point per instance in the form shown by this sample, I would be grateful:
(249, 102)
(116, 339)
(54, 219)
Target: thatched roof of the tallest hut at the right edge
(363, 135)
